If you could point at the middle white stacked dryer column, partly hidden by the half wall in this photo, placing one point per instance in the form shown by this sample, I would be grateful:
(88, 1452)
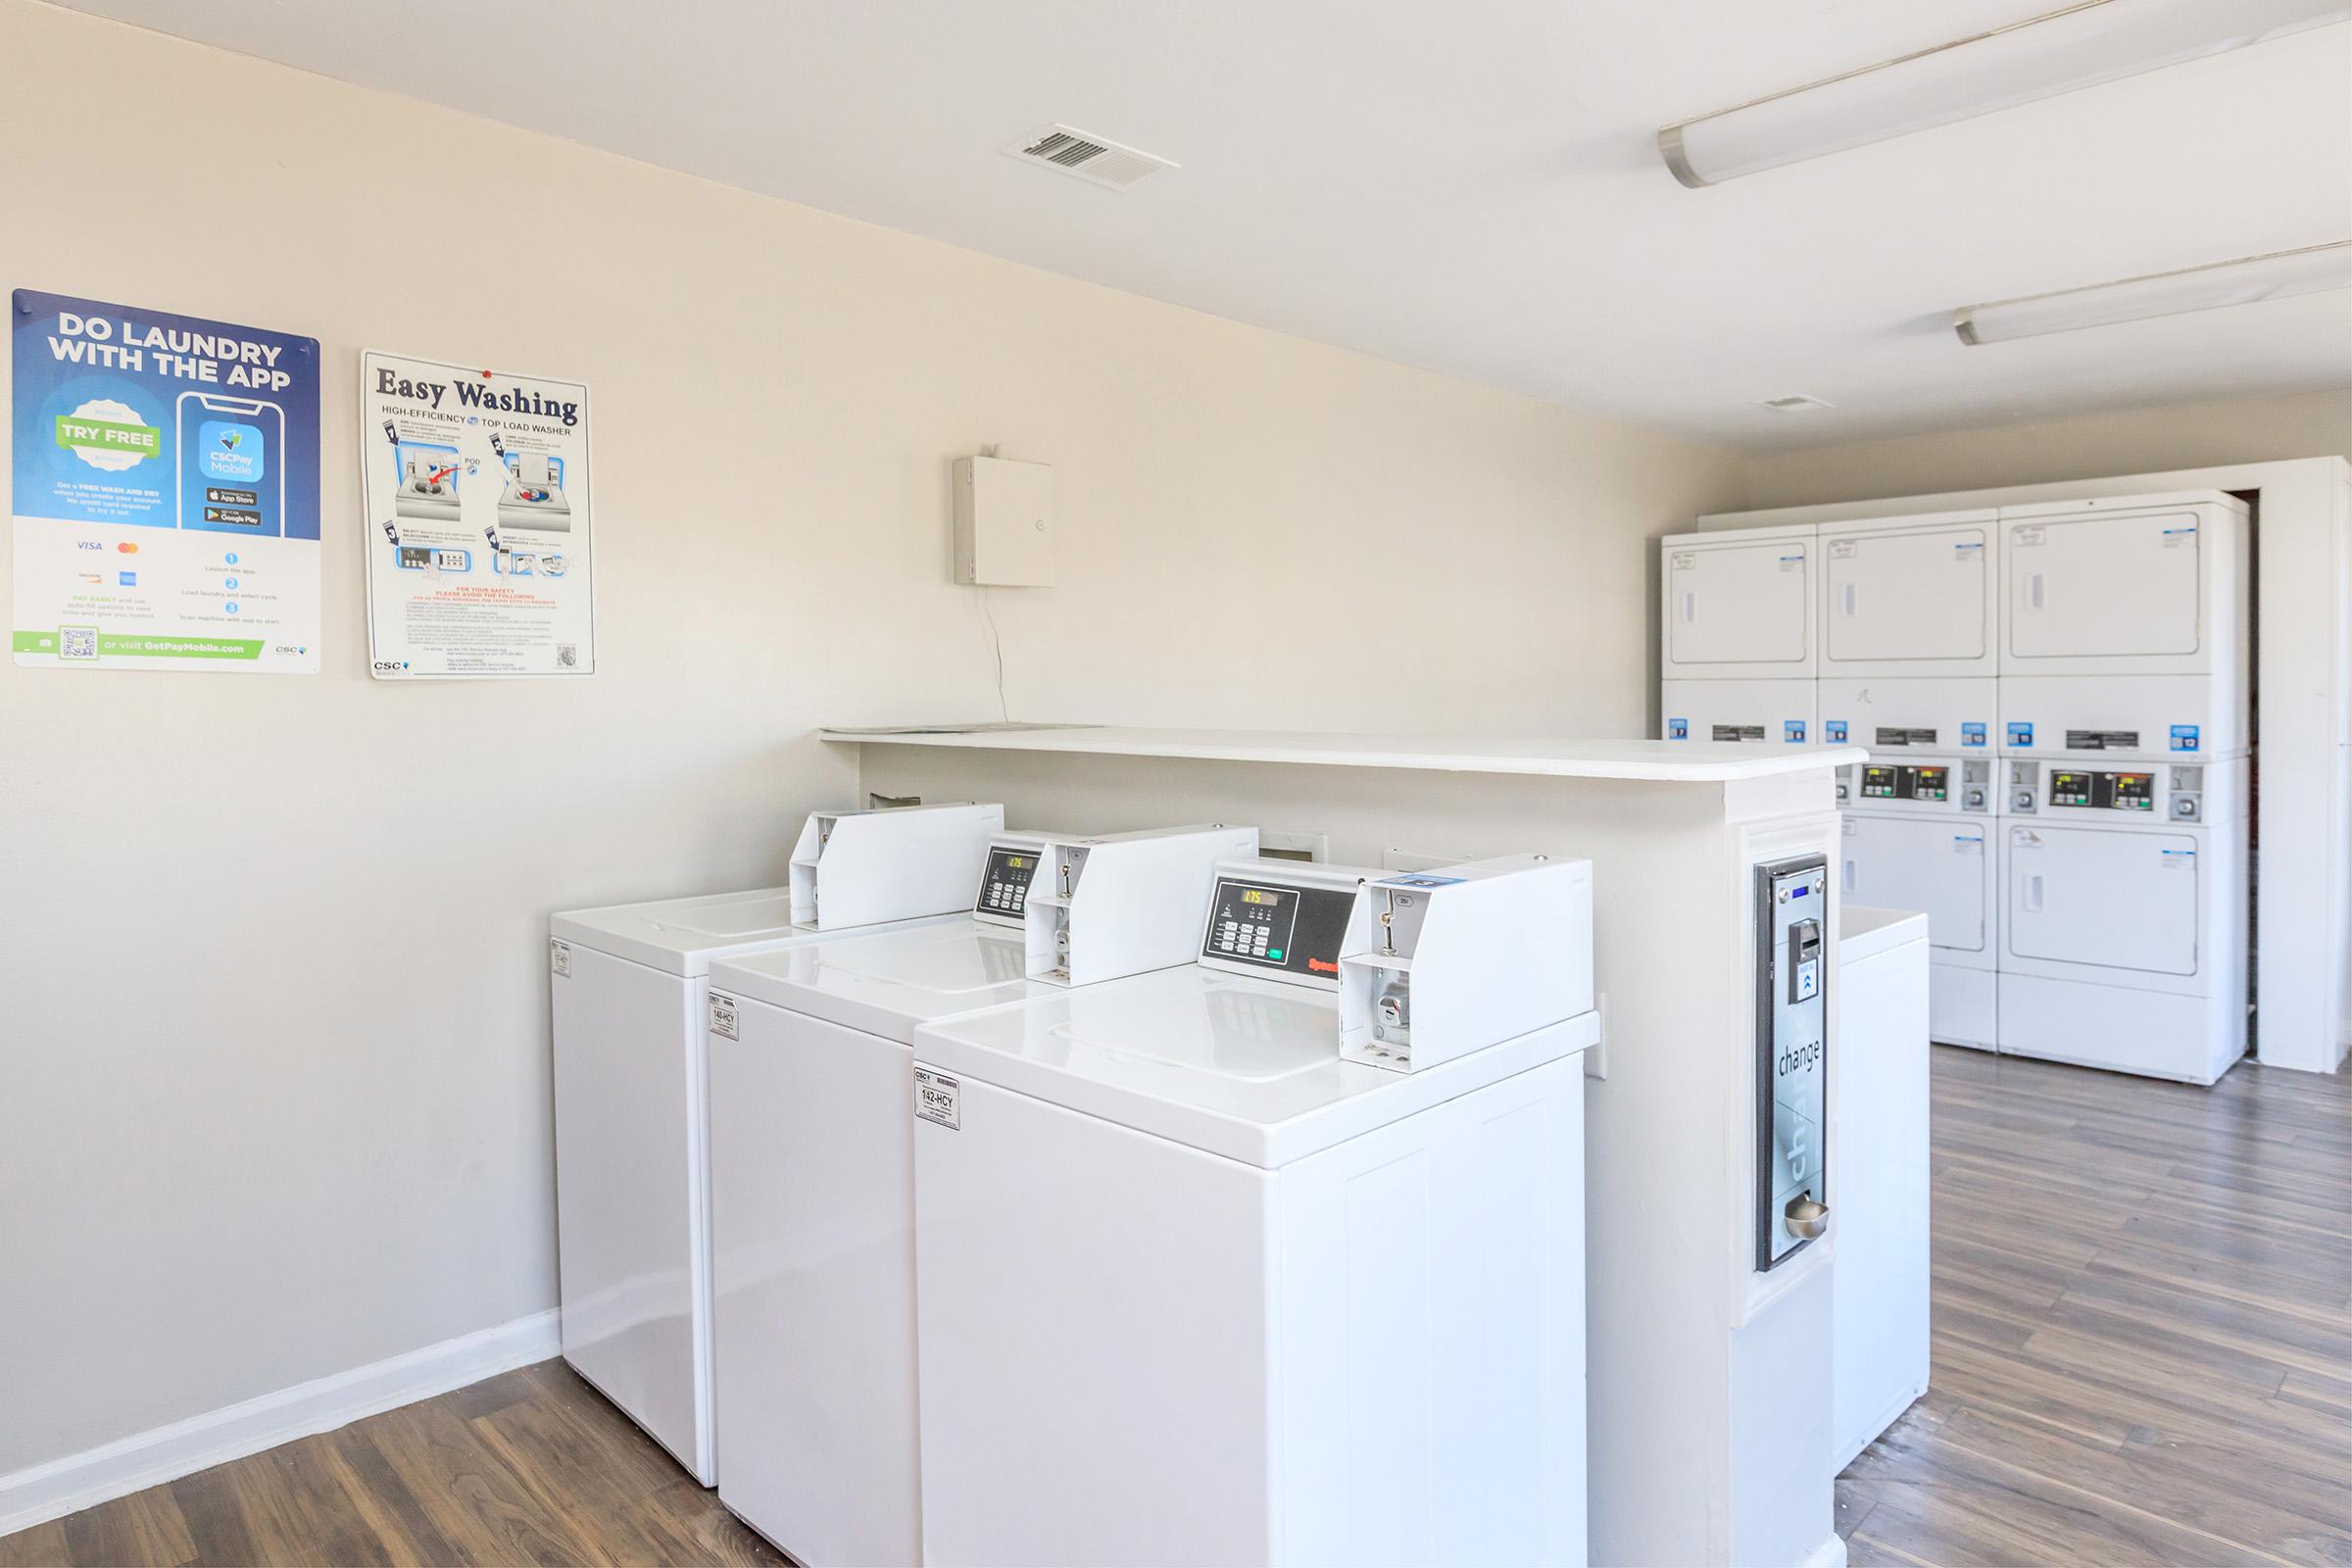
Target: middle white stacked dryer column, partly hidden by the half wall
(1911, 671)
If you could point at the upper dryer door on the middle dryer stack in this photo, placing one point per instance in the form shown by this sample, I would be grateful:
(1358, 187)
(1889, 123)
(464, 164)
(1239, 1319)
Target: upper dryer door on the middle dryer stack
(1906, 596)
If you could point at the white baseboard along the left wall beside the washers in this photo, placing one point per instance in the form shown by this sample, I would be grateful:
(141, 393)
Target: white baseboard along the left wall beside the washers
(114, 1470)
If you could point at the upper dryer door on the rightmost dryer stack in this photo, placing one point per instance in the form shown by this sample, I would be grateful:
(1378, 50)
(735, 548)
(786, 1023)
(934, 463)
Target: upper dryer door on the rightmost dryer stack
(2104, 587)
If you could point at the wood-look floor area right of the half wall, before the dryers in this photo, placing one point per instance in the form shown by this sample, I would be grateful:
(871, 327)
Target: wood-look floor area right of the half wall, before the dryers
(2141, 1327)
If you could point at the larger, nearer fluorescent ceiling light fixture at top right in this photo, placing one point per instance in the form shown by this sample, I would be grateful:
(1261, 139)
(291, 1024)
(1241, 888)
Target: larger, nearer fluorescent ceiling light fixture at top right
(2040, 58)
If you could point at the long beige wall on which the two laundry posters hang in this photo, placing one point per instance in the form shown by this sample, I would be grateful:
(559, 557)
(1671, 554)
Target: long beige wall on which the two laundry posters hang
(274, 1076)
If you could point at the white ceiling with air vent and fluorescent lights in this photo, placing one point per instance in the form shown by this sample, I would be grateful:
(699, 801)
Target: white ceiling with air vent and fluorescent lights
(1462, 185)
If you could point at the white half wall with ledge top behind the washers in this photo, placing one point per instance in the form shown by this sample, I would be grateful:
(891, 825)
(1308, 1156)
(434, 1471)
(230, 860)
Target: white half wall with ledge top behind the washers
(1709, 1379)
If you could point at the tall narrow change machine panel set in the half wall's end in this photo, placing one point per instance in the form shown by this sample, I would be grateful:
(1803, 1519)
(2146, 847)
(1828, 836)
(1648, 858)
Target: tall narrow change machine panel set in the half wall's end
(1793, 1071)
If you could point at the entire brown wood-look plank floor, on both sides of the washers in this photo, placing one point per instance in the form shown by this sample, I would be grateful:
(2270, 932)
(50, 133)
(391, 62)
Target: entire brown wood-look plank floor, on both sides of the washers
(2144, 1355)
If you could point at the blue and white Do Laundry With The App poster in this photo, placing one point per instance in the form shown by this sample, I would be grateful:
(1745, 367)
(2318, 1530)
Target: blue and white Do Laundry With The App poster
(163, 492)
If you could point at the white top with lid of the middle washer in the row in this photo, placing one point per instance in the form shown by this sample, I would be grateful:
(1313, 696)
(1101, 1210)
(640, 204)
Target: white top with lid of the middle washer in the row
(888, 979)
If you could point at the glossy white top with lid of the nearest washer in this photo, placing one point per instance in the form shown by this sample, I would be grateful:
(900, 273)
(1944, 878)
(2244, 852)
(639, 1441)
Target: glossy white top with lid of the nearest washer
(1224, 1064)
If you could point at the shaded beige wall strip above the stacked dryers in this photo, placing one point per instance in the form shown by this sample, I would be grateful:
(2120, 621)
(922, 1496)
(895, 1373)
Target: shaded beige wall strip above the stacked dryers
(2130, 441)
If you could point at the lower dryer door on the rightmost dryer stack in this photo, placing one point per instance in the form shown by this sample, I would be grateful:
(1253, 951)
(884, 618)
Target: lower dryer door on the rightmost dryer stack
(2116, 897)
